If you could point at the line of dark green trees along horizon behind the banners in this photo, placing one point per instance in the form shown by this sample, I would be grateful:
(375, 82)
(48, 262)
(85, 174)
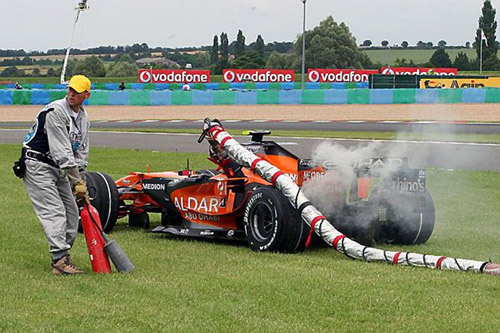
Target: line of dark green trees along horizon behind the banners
(328, 45)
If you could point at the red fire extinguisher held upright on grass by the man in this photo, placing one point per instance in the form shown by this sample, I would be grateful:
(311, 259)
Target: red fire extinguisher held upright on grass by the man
(91, 224)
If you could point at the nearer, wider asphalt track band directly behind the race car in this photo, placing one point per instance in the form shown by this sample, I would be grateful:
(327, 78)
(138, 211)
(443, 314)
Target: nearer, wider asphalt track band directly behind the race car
(454, 155)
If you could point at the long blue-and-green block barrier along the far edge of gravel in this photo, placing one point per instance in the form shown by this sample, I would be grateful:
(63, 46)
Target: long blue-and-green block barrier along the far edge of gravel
(253, 97)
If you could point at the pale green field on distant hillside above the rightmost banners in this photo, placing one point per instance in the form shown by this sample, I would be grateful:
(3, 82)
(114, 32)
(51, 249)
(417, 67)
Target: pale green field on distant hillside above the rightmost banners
(388, 56)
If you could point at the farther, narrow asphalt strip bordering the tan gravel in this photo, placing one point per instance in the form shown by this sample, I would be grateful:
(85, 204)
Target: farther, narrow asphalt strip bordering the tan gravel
(320, 125)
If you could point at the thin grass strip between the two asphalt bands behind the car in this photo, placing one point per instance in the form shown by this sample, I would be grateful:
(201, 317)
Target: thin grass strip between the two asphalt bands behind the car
(428, 136)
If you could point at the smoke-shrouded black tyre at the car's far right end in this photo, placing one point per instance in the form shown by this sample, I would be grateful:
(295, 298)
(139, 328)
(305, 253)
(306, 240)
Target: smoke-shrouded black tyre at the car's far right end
(404, 218)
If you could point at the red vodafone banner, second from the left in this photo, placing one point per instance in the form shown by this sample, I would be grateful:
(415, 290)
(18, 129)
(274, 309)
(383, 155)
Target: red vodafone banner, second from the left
(258, 75)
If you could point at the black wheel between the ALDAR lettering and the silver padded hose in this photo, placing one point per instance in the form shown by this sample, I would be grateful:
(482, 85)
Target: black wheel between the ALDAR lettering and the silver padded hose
(271, 224)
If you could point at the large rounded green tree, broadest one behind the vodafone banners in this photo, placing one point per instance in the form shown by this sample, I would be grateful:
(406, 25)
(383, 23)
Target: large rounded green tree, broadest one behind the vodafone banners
(330, 45)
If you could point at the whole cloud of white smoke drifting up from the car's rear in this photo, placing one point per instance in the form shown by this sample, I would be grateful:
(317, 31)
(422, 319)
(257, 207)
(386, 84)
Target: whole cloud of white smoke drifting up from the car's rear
(424, 146)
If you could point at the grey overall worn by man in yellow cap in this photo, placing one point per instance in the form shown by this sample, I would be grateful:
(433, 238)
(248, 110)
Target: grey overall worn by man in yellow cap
(62, 135)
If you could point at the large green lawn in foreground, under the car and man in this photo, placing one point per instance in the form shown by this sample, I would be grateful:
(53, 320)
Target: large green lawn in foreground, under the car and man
(208, 286)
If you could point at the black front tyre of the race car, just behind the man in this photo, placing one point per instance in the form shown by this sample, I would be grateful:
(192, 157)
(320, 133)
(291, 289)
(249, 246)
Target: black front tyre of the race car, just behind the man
(104, 197)
